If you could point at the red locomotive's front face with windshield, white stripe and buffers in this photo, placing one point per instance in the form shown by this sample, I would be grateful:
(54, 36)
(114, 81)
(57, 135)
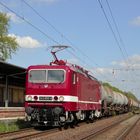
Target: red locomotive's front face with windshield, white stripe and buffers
(47, 90)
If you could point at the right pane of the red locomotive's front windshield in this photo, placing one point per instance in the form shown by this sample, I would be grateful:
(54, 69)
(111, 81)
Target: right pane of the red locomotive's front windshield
(55, 76)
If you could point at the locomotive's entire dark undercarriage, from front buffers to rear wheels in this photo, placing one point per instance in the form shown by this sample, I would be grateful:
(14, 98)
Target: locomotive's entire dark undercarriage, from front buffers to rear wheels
(56, 116)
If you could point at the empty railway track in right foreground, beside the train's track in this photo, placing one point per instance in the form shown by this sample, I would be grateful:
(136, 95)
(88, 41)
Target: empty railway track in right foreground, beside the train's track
(105, 132)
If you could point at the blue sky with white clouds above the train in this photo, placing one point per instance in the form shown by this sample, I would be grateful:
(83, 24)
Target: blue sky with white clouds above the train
(111, 55)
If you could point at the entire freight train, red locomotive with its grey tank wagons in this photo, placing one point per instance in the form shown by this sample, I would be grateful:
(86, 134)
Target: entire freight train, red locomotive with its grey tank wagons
(60, 93)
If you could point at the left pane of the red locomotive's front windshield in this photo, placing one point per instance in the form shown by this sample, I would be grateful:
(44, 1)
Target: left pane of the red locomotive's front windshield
(37, 76)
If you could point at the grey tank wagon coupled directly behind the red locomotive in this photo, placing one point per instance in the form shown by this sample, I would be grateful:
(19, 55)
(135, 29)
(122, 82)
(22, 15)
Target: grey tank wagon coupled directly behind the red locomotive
(113, 102)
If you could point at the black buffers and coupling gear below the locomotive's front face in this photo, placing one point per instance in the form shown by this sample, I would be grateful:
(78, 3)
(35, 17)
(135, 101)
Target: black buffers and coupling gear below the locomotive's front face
(53, 116)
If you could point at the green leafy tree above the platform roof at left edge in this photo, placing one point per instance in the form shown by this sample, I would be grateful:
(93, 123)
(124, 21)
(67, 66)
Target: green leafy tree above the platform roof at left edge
(8, 44)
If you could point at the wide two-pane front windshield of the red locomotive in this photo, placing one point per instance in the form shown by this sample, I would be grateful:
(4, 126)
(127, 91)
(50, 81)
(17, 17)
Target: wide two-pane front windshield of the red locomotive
(46, 76)
